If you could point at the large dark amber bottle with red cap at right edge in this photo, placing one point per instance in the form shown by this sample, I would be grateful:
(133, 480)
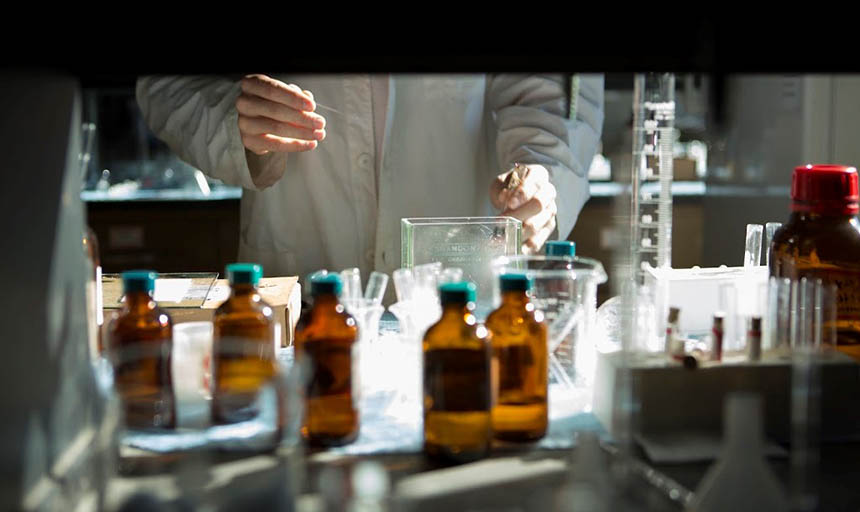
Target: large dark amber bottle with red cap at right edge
(822, 240)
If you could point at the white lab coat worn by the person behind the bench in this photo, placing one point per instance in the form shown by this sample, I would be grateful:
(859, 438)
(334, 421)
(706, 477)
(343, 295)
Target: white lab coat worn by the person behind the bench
(445, 139)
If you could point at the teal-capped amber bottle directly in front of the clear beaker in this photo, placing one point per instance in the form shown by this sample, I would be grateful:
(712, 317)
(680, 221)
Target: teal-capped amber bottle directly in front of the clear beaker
(520, 346)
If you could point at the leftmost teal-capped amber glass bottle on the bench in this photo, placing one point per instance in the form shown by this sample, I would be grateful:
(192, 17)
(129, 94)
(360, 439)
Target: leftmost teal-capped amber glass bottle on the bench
(141, 343)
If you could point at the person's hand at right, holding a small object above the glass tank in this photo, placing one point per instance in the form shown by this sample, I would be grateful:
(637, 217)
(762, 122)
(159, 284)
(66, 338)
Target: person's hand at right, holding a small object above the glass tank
(526, 193)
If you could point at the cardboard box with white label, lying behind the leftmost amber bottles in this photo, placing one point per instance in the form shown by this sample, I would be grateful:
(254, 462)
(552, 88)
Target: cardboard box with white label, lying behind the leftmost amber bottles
(195, 297)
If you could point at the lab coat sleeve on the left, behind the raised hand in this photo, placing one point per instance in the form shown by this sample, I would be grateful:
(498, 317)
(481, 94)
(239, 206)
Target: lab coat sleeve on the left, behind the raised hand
(197, 118)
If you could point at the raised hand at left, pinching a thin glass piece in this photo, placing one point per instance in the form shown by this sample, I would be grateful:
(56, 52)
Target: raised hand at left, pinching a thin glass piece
(277, 117)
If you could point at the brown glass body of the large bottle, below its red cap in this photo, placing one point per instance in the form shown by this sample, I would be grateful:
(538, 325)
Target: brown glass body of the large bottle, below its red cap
(828, 247)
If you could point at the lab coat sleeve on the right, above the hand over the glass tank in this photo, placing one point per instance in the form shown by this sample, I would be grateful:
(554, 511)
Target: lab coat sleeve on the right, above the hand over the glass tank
(532, 125)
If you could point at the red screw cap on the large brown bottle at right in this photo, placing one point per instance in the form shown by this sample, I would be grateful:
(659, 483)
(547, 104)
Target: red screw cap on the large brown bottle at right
(825, 189)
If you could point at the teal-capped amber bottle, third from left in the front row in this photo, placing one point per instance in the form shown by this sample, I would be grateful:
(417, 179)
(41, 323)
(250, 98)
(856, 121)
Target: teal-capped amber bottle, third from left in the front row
(325, 341)
